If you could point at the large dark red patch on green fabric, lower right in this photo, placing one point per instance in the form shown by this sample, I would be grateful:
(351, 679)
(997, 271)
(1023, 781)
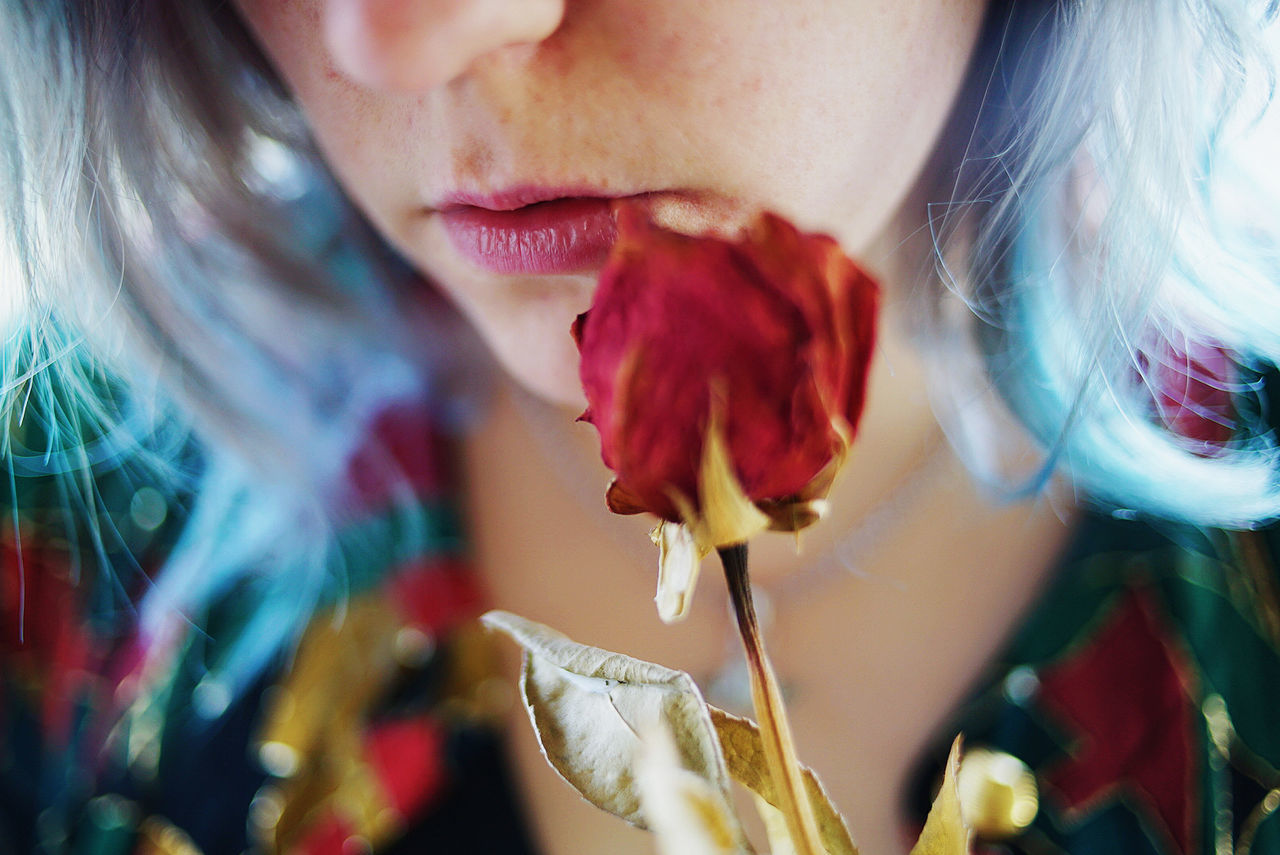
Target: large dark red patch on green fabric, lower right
(1109, 691)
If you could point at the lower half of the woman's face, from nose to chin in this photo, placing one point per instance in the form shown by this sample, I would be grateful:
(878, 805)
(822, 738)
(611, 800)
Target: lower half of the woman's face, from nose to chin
(486, 138)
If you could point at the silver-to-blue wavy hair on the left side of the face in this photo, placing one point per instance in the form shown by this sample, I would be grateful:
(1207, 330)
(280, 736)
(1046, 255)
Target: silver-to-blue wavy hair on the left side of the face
(200, 304)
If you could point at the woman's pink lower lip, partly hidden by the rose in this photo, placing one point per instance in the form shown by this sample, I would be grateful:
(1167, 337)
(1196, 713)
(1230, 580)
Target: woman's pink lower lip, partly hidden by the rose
(563, 236)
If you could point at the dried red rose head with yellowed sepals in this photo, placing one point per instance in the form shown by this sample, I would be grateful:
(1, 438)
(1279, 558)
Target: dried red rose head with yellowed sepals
(725, 378)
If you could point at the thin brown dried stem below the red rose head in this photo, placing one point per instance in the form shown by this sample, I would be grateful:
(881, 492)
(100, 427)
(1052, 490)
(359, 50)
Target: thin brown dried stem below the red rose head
(780, 749)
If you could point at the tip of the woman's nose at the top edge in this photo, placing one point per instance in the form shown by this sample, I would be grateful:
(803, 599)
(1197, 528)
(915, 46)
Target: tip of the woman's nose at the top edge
(415, 45)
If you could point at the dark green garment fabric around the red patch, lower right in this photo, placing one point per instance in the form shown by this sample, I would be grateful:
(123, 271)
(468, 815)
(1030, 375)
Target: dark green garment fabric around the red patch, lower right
(1213, 606)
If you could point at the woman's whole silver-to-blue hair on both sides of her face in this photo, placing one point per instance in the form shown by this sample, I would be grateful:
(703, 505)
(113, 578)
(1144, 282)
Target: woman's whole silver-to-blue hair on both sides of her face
(248, 314)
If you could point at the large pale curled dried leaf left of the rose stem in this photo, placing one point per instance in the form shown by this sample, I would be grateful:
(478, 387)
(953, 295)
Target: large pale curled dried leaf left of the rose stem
(588, 707)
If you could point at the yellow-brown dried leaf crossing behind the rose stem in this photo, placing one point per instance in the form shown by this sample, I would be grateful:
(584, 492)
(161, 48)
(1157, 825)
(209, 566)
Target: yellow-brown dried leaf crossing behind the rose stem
(744, 753)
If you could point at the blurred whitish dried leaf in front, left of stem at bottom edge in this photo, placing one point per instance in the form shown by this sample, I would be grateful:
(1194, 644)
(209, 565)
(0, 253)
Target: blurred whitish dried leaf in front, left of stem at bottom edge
(687, 815)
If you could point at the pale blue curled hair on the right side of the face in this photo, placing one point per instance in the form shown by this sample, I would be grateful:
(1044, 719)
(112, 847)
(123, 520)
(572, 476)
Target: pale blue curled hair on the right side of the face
(1096, 223)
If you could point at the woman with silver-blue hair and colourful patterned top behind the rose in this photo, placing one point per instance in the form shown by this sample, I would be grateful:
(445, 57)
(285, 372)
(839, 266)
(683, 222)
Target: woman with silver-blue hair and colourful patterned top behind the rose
(207, 318)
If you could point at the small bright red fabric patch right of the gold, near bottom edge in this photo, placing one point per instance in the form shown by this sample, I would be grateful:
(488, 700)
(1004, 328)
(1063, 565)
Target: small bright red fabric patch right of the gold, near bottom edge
(408, 757)
